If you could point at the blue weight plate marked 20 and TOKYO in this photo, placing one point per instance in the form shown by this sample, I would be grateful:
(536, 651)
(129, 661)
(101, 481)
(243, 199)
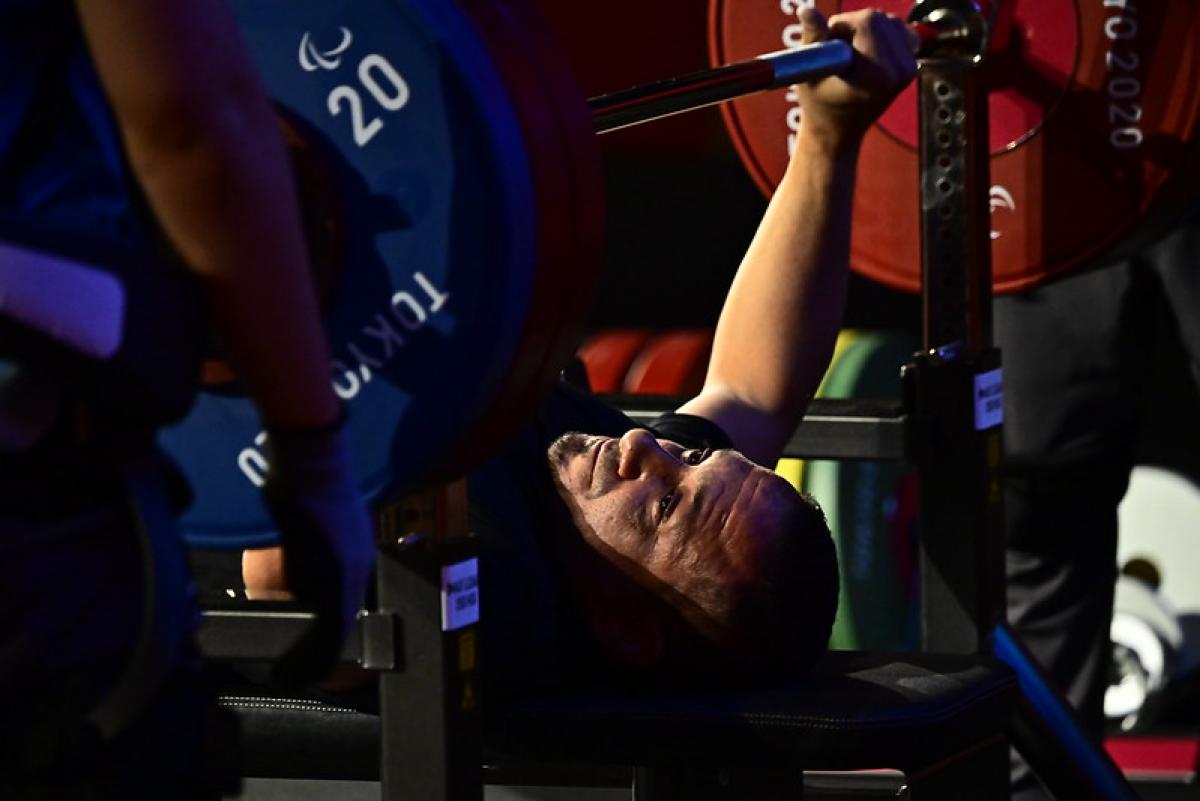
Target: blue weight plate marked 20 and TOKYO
(440, 244)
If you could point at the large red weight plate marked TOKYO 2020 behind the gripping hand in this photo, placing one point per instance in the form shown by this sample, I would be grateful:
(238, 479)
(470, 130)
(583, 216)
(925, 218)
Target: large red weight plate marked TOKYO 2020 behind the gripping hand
(1095, 112)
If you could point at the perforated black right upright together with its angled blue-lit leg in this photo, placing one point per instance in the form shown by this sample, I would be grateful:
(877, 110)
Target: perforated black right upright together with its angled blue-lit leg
(956, 401)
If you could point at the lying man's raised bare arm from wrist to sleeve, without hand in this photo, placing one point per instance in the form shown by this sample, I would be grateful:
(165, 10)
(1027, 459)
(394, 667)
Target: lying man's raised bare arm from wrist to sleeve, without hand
(784, 310)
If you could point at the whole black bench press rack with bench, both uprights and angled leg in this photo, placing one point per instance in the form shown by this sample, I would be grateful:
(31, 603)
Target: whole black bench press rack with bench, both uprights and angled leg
(944, 718)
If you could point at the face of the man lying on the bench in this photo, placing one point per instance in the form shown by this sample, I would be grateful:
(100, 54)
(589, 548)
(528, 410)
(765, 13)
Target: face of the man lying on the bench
(691, 520)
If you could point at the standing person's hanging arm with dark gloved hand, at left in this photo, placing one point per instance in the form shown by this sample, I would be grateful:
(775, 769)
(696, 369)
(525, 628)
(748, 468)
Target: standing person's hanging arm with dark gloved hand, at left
(205, 143)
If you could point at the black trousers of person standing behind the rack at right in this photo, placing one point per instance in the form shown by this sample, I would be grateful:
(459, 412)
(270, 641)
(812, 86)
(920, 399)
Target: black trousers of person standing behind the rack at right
(1076, 360)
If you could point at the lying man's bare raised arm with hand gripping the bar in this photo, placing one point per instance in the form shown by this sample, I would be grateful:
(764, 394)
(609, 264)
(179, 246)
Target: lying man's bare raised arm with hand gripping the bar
(782, 317)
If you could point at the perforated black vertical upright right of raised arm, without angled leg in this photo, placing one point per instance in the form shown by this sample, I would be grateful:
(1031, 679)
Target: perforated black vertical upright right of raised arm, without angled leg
(953, 387)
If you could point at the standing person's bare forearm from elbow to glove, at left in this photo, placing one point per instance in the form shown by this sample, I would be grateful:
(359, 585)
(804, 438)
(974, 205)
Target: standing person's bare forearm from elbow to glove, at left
(229, 204)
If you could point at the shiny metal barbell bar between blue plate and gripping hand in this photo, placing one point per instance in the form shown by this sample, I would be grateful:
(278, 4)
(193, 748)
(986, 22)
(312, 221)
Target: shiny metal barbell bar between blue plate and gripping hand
(709, 87)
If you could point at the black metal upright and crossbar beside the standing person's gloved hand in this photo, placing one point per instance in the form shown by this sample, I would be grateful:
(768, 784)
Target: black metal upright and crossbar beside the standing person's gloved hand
(430, 700)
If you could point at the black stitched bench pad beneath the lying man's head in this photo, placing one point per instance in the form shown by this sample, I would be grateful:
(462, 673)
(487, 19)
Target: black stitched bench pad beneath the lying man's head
(856, 710)
